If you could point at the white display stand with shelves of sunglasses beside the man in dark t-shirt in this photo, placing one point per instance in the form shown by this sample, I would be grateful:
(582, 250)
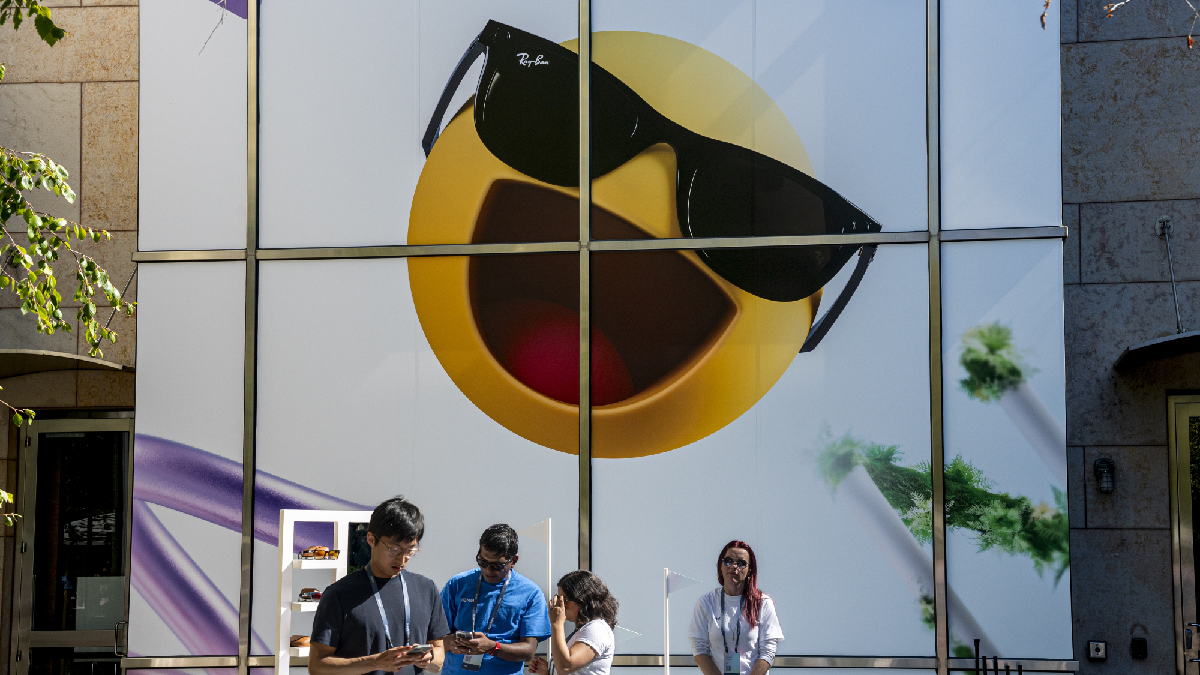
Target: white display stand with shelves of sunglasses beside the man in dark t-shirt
(289, 604)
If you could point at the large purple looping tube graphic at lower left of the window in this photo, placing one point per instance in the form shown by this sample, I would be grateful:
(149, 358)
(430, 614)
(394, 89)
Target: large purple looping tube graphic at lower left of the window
(211, 488)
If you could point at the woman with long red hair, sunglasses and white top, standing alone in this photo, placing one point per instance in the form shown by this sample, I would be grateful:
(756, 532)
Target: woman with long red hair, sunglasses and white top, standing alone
(735, 630)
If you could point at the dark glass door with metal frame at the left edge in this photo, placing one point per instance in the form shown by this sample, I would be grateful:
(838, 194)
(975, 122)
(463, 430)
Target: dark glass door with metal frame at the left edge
(70, 602)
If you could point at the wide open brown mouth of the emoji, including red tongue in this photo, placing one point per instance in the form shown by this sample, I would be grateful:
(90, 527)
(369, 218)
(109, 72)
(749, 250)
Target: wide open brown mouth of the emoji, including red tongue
(655, 314)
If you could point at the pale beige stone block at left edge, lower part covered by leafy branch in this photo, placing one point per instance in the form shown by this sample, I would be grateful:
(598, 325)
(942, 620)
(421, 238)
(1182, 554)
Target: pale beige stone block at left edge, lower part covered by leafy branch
(44, 118)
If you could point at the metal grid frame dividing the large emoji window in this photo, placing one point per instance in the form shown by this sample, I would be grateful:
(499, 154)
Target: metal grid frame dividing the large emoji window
(932, 237)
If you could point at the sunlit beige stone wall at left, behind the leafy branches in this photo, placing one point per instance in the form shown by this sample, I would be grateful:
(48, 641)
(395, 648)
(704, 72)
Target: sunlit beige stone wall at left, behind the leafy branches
(77, 103)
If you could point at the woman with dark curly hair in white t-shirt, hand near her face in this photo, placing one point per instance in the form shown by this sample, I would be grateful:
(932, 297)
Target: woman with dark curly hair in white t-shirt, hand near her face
(583, 600)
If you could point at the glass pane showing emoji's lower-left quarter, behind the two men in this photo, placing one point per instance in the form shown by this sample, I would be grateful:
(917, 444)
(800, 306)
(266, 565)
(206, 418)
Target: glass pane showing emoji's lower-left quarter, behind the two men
(454, 385)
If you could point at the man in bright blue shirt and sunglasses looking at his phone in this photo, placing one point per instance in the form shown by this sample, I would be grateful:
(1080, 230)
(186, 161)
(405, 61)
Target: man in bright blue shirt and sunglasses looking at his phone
(496, 616)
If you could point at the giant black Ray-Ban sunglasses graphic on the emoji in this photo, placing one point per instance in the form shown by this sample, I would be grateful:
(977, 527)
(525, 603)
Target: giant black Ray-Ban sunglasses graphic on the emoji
(527, 116)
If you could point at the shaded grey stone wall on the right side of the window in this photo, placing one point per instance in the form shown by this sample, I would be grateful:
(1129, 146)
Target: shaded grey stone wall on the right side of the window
(1131, 126)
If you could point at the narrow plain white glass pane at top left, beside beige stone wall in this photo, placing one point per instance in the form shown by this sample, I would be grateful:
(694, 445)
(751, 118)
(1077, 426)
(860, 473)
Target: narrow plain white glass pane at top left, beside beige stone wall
(193, 126)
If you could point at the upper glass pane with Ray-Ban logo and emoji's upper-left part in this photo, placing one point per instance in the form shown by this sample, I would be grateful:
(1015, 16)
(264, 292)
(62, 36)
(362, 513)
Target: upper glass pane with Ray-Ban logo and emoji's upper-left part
(333, 86)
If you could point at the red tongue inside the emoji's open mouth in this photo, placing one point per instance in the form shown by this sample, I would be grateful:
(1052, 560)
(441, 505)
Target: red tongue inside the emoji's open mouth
(544, 355)
